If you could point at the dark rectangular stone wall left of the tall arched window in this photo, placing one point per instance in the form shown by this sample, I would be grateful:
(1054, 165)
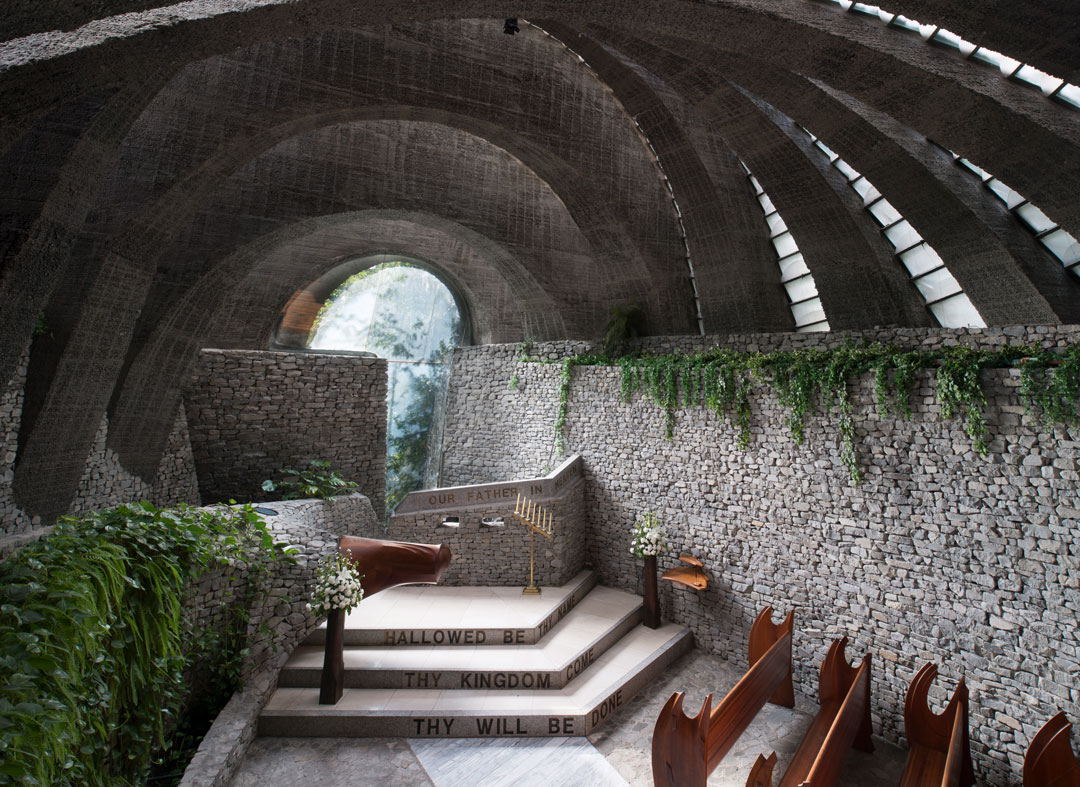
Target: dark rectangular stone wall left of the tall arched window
(252, 414)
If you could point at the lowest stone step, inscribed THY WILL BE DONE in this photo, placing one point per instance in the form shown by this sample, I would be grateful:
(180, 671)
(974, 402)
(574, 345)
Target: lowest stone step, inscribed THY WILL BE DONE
(576, 710)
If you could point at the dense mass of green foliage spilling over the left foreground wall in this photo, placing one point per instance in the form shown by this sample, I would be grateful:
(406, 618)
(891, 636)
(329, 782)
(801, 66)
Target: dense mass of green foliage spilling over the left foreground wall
(94, 640)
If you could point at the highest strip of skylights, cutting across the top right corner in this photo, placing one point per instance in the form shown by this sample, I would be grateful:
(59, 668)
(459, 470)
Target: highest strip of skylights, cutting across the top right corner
(1010, 69)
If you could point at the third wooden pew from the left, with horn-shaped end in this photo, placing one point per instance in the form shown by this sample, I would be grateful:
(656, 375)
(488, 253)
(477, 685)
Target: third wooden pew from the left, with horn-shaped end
(940, 753)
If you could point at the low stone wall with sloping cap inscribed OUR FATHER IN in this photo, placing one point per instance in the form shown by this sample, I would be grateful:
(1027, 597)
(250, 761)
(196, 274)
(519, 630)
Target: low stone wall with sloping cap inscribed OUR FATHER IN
(499, 555)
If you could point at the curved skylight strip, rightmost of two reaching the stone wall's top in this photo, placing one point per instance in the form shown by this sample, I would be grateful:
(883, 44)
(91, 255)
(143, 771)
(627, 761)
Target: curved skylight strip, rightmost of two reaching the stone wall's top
(946, 300)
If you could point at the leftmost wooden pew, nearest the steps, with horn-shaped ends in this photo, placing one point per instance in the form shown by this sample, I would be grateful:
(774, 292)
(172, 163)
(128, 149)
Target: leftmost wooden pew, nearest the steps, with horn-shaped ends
(686, 751)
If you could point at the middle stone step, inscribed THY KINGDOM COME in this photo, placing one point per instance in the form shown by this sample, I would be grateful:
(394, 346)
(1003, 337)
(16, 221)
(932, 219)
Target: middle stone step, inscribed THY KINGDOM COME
(579, 640)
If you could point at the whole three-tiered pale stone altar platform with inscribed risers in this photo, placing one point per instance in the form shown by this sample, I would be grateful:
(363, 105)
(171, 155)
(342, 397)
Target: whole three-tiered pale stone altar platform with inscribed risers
(478, 662)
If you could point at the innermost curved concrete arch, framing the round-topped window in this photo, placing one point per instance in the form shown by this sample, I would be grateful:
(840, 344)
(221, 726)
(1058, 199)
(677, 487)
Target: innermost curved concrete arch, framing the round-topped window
(273, 268)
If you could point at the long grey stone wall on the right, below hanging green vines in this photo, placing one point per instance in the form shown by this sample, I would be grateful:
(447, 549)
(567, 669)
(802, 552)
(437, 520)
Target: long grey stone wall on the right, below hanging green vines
(938, 555)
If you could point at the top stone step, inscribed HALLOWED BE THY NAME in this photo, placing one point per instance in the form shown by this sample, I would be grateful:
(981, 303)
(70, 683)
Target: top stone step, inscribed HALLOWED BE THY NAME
(442, 616)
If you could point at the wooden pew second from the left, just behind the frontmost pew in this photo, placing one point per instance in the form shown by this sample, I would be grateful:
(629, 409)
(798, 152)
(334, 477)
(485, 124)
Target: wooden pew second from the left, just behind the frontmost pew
(844, 720)
